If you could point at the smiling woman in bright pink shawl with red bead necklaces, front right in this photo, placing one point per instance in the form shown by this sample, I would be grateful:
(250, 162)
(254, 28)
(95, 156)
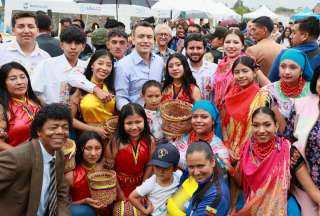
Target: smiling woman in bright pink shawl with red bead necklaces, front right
(266, 166)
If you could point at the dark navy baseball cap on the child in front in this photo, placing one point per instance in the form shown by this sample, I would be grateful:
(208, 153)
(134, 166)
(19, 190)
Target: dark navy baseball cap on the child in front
(165, 156)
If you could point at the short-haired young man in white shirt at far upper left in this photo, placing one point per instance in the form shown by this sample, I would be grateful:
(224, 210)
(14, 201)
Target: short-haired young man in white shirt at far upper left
(24, 49)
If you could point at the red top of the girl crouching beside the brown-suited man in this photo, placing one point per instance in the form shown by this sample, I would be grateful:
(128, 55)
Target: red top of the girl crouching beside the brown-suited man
(80, 188)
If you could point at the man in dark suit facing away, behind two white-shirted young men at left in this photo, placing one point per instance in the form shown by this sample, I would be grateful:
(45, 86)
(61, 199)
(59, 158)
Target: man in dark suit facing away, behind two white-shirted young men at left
(45, 40)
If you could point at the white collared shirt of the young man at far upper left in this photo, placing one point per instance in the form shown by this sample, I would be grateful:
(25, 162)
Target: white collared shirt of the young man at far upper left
(11, 51)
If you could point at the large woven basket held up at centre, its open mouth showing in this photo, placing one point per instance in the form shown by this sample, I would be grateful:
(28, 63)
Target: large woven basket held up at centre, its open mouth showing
(176, 117)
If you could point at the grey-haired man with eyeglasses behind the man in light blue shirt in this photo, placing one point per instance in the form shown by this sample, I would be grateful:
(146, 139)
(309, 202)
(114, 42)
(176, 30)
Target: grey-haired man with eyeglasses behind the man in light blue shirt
(163, 37)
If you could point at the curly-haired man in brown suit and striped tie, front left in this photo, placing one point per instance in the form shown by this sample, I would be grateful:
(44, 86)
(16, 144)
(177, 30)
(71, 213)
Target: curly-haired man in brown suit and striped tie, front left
(26, 171)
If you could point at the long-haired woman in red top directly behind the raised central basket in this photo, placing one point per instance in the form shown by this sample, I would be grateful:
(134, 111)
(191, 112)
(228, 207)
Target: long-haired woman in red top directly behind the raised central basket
(179, 83)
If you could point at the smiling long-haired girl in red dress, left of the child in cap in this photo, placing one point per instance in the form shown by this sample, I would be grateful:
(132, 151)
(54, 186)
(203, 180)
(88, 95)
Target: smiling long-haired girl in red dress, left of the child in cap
(130, 149)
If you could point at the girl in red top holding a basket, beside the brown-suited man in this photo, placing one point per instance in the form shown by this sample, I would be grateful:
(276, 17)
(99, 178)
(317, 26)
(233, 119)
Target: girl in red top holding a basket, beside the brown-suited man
(88, 157)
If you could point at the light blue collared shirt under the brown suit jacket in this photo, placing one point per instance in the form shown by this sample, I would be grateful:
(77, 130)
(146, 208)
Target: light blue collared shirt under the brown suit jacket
(46, 157)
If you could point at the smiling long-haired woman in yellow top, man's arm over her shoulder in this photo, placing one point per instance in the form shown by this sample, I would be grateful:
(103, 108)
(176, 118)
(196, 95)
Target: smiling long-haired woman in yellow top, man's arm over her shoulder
(94, 111)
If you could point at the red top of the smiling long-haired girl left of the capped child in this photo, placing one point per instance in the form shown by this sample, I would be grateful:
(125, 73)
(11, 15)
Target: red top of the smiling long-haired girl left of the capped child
(130, 166)
